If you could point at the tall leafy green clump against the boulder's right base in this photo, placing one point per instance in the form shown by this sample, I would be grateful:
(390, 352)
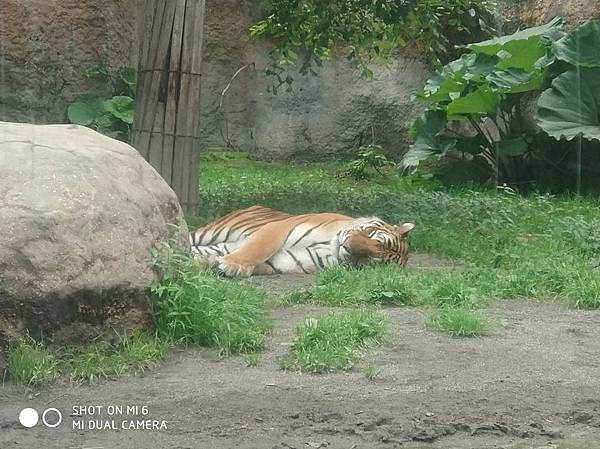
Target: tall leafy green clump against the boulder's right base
(193, 307)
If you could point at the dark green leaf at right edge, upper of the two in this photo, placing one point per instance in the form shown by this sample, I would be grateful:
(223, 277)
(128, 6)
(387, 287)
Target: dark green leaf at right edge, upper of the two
(581, 47)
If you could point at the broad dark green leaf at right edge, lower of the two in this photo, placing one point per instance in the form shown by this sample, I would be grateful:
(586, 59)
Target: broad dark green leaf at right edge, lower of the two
(571, 107)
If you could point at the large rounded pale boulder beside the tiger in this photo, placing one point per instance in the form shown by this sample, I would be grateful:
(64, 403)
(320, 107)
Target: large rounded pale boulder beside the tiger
(80, 215)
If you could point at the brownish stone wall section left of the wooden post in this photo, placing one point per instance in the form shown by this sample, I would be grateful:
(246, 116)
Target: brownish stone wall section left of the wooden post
(46, 45)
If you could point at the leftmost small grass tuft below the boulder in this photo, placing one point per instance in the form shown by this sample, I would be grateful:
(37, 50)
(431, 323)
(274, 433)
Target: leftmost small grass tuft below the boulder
(30, 363)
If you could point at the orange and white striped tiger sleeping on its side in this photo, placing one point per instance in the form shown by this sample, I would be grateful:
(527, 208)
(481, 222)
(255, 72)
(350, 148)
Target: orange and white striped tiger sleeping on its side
(259, 240)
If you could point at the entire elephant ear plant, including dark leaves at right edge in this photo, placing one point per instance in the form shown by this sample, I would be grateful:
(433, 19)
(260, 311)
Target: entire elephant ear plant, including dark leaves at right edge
(476, 102)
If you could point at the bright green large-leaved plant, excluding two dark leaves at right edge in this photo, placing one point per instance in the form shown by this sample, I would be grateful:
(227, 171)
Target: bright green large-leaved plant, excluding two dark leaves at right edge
(476, 102)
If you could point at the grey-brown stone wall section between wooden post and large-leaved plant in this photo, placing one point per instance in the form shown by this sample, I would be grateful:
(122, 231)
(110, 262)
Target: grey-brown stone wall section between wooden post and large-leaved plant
(325, 116)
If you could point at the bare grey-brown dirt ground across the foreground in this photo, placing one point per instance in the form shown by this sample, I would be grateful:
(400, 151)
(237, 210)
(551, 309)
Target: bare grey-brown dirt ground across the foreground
(533, 383)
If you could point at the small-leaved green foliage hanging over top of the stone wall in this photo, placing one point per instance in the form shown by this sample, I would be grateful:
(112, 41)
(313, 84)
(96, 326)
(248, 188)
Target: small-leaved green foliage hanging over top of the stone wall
(307, 31)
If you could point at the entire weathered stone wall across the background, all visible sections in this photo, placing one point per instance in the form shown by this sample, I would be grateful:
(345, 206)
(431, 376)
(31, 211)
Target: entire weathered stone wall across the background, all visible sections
(45, 45)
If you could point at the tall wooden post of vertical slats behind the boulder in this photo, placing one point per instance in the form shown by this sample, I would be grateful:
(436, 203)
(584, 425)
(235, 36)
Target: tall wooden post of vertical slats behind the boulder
(166, 130)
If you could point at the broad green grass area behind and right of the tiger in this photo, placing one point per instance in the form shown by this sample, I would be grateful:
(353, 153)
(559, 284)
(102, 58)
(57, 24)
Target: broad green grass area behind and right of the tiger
(539, 246)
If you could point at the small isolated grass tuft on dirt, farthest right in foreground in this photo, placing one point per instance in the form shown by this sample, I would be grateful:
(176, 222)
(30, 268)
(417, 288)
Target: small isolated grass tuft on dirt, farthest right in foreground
(459, 322)
